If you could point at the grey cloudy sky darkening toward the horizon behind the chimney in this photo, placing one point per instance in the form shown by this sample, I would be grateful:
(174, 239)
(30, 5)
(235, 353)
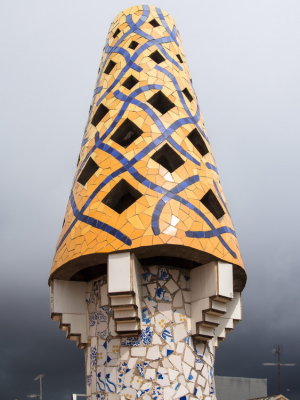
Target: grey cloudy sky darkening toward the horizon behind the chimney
(245, 62)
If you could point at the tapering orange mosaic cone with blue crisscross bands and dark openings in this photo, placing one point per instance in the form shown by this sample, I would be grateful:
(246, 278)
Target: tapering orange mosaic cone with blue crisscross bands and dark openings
(146, 178)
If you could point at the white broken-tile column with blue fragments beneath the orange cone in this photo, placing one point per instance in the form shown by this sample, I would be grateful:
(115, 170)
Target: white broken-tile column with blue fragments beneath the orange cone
(162, 362)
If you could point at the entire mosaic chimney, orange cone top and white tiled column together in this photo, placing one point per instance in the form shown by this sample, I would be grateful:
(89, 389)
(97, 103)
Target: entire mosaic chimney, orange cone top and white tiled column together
(147, 273)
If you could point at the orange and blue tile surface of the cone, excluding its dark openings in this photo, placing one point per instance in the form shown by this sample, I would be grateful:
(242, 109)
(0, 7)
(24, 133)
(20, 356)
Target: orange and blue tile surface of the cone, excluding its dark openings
(86, 209)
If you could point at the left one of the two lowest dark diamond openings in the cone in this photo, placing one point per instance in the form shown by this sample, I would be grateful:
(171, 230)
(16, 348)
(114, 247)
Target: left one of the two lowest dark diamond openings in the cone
(122, 196)
